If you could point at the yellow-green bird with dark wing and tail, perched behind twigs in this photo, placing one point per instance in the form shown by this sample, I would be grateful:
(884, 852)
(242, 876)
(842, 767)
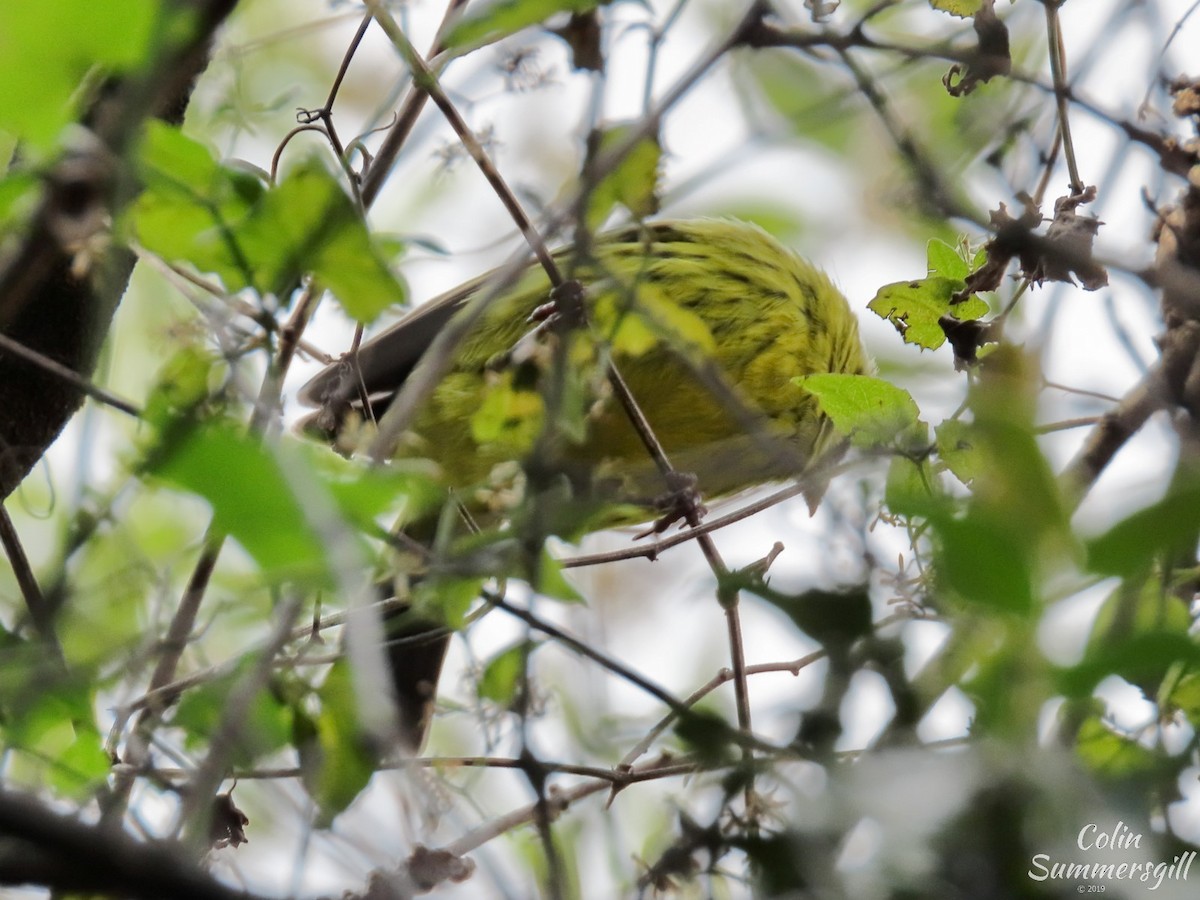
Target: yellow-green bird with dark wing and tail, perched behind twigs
(709, 321)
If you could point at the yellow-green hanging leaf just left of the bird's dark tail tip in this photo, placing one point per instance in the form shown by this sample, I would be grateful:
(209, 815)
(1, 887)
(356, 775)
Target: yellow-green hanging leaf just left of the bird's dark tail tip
(335, 761)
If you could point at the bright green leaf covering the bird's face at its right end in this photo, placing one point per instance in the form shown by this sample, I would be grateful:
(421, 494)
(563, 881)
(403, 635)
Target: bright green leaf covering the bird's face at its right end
(869, 411)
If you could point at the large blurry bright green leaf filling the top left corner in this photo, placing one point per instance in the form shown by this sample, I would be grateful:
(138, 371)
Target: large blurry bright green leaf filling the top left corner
(50, 47)
